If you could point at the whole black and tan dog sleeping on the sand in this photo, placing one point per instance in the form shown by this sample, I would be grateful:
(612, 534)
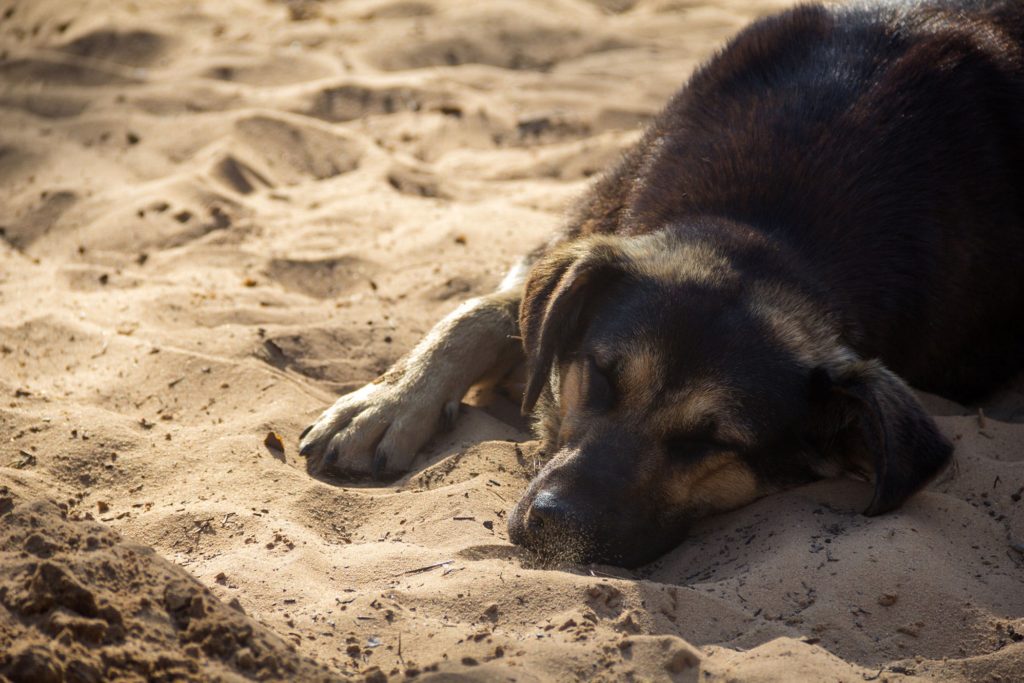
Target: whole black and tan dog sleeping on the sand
(831, 209)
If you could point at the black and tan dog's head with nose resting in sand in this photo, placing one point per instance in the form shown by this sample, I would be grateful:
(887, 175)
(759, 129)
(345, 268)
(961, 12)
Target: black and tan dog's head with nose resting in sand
(673, 379)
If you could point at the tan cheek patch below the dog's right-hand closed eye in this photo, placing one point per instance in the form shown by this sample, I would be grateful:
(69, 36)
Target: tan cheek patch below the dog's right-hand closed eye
(717, 484)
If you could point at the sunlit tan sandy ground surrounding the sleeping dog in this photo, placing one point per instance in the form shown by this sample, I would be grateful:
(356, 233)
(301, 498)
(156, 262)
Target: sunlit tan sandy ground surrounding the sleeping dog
(217, 217)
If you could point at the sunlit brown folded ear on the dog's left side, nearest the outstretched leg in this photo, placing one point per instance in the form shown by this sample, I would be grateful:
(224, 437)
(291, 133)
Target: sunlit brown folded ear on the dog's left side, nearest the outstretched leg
(556, 301)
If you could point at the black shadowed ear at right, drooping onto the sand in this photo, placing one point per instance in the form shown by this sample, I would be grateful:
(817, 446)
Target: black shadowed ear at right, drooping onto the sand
(866, 406)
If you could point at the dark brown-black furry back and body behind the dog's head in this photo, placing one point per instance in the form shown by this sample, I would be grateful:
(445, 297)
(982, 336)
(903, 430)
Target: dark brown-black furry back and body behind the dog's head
(882, 147)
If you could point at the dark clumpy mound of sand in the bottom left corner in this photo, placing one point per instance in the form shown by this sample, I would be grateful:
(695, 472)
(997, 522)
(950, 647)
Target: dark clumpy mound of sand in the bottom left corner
(80, 605)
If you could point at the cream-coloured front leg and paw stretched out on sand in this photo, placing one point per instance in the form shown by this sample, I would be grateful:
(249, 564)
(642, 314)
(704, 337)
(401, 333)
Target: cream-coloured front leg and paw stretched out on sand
(380, 429)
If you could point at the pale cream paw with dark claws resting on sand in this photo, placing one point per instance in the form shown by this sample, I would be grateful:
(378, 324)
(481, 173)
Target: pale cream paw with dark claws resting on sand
(376, 431)
